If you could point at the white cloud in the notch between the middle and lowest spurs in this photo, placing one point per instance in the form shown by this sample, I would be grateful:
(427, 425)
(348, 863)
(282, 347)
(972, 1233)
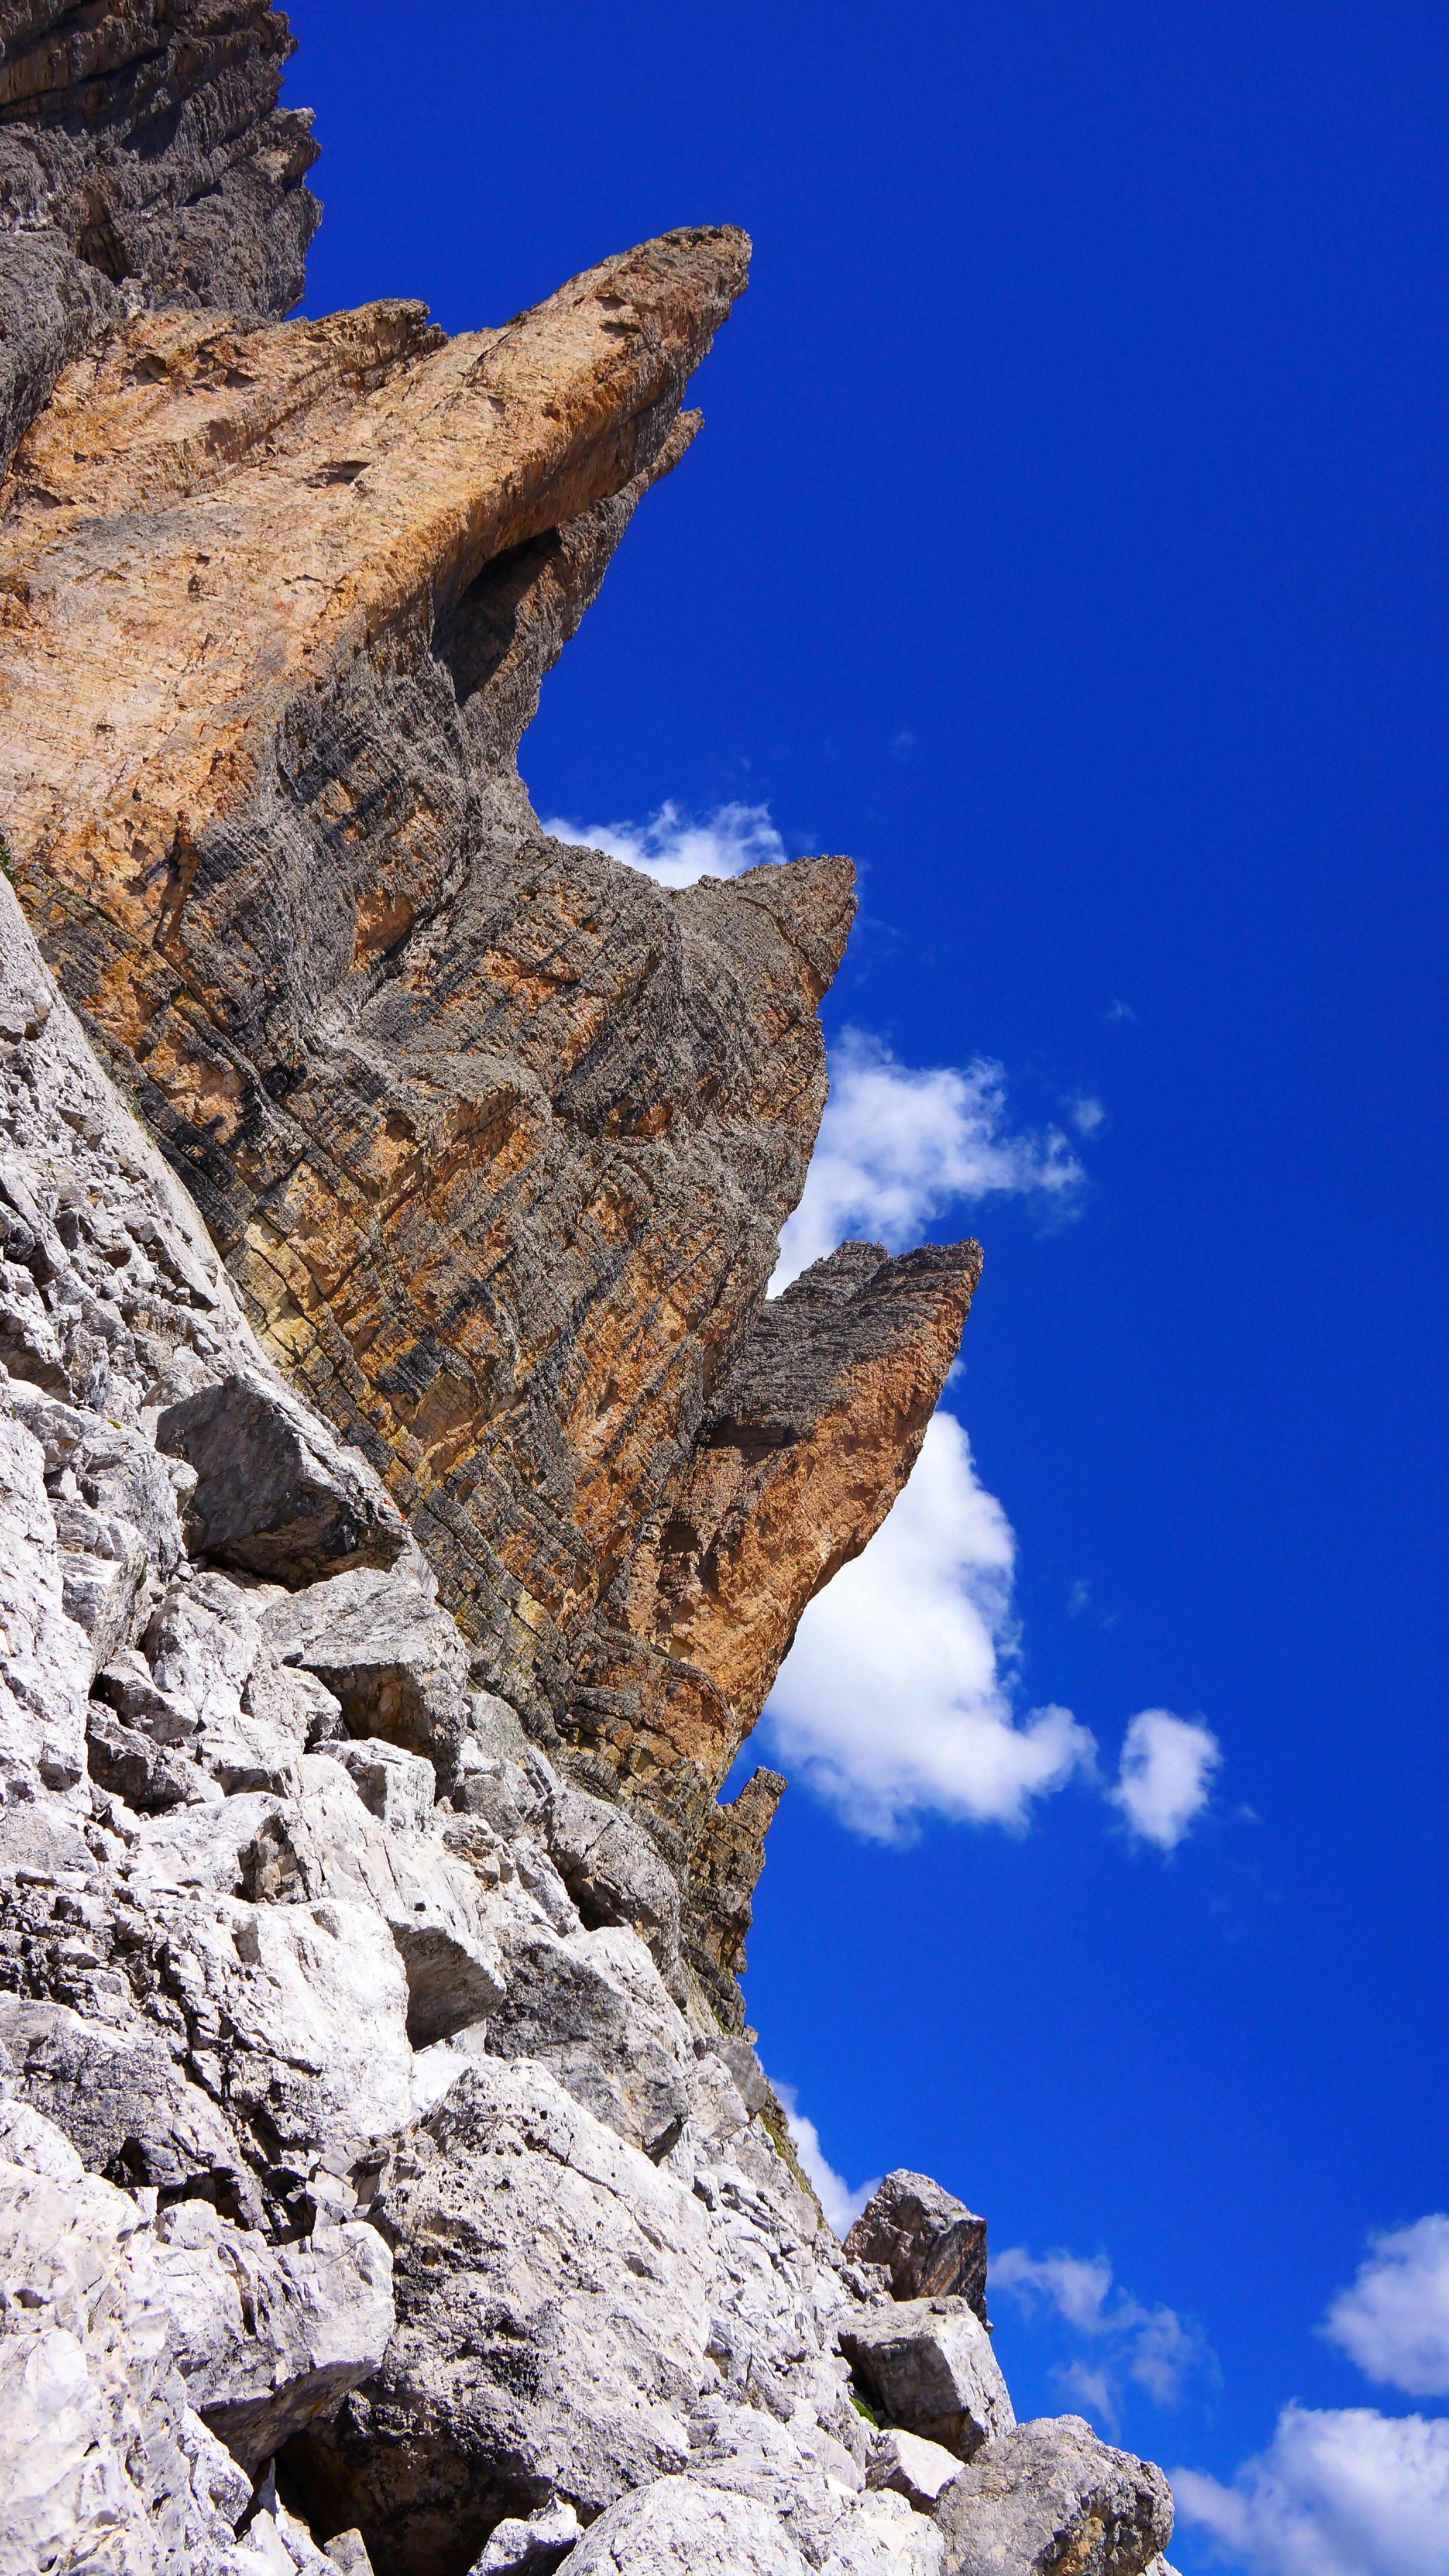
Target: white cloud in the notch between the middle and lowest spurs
(897, 1148)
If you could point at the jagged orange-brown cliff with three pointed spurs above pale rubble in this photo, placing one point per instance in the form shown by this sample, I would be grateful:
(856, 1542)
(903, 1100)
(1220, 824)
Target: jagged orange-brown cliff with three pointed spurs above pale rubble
(493, 1132)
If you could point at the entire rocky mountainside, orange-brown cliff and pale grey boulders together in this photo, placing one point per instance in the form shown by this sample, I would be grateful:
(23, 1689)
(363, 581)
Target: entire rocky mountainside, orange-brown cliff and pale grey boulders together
(408, 1490)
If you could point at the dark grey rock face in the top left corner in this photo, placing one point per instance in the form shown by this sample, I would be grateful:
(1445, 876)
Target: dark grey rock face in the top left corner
(143, 161)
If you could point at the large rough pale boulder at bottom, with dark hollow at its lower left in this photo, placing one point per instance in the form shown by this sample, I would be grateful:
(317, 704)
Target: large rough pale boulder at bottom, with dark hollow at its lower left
(519, 2369)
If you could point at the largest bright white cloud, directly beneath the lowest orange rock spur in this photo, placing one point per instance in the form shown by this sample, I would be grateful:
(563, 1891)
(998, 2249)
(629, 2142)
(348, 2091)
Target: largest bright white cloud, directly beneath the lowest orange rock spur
(892, 1699)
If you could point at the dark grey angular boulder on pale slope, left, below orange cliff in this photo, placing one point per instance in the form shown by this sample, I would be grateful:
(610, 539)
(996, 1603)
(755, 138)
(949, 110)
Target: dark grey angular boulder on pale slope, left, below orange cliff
(274, 1495)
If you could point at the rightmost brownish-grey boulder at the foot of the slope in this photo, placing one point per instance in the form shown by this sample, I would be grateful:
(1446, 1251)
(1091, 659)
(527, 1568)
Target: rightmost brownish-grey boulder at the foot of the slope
(1051, 2495)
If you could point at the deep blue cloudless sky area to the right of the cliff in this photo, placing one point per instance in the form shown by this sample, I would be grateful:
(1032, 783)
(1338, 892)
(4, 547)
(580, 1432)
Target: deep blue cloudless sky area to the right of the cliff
(1085, 424)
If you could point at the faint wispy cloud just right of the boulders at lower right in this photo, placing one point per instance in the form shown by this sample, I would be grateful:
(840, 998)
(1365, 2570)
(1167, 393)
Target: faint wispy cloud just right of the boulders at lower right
(1154, 2348)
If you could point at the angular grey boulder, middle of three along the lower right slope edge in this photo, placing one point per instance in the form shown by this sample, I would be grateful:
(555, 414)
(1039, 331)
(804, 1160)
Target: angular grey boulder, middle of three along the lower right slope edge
(930, 2366)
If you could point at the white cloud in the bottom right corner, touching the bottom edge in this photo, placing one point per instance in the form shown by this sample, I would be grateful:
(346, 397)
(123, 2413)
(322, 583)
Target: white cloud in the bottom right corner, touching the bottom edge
(1340, 2492)
